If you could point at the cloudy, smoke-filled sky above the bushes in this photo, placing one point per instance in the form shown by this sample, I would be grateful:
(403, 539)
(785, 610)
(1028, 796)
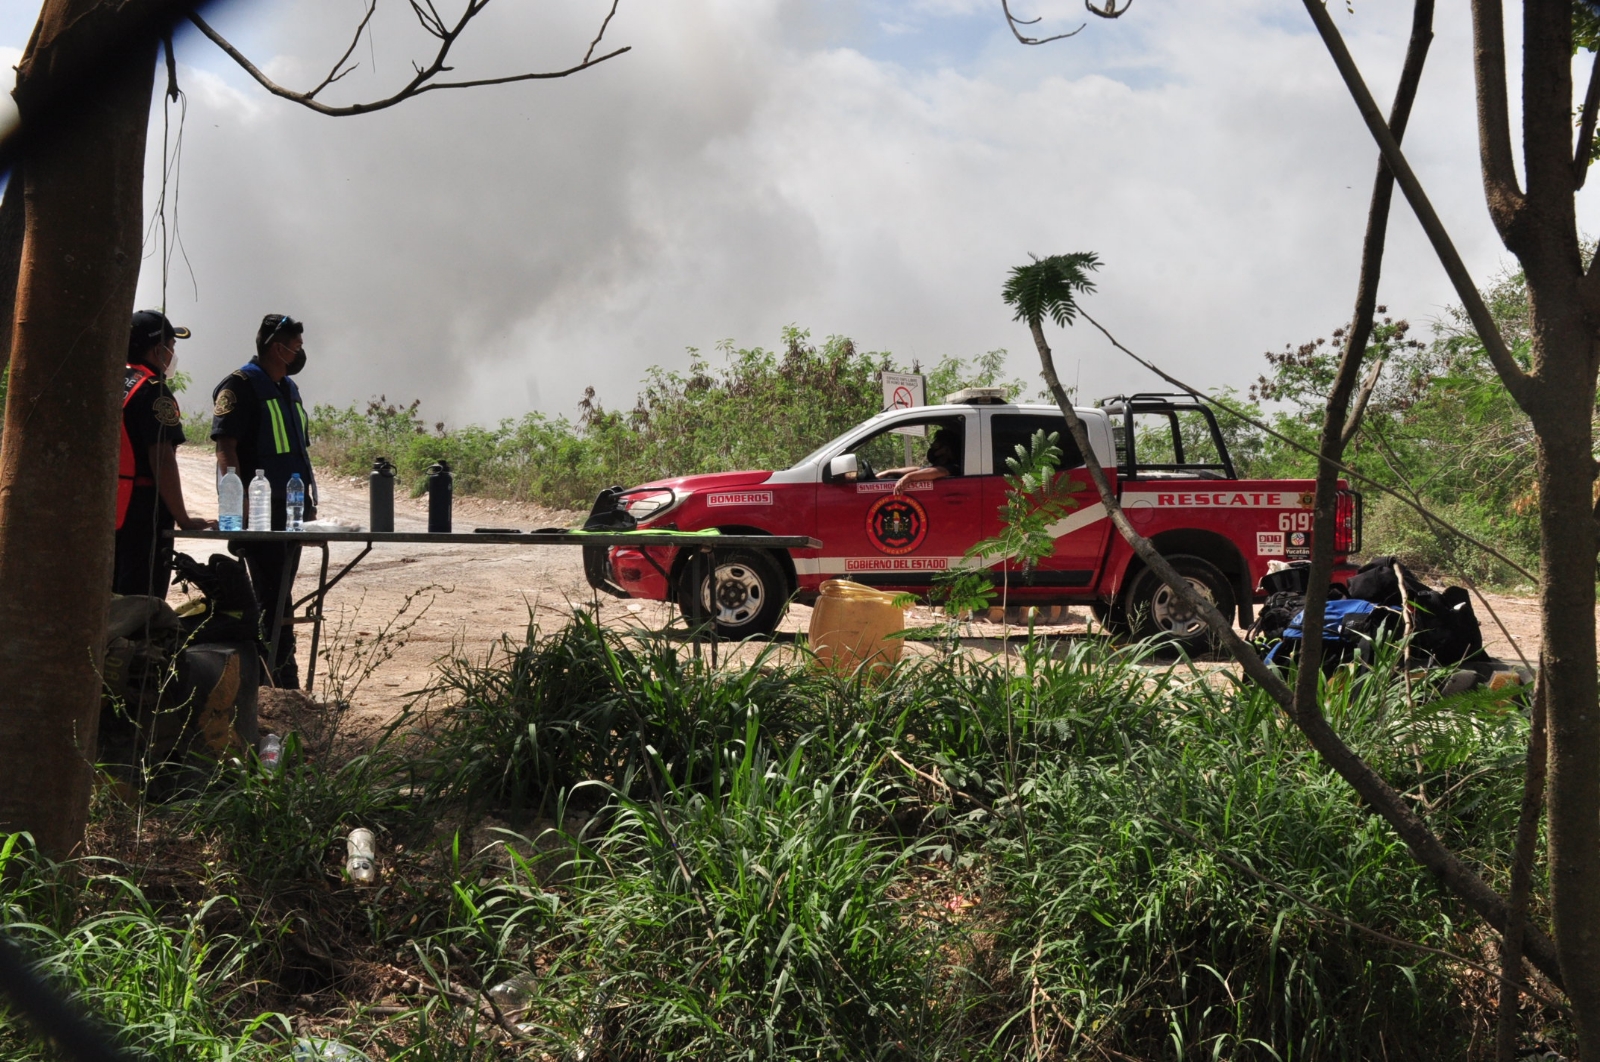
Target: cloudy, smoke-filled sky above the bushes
(857, 167)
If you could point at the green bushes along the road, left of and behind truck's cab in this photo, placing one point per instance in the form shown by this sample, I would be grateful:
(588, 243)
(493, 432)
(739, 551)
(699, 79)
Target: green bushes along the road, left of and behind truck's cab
(759, 410)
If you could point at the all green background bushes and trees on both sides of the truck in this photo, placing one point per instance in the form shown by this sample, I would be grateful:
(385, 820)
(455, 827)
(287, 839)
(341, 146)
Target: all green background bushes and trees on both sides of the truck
(1439, 428)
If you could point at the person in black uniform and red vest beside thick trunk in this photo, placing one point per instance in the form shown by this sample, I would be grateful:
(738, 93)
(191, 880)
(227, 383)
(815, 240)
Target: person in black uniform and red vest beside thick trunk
(150, 492)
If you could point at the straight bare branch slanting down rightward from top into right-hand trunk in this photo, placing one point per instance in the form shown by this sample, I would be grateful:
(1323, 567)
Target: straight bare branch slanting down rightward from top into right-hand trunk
(1518, 383)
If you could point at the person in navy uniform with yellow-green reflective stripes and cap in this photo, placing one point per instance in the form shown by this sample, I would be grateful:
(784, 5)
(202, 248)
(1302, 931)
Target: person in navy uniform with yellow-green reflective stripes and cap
(258, 421)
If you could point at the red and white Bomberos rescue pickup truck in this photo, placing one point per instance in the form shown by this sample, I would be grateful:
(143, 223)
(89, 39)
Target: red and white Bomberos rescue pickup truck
(1166, 458)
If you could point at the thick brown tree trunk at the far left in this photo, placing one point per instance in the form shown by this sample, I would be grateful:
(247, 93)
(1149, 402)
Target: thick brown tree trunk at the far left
(84, 190)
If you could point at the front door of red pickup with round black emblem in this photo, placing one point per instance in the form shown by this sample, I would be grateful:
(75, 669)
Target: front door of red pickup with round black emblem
(902, 541)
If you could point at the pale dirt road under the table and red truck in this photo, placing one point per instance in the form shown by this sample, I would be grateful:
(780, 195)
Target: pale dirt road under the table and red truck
(460, 601)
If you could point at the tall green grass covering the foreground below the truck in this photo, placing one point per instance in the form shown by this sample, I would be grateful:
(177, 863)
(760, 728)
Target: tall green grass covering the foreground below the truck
(966, 860)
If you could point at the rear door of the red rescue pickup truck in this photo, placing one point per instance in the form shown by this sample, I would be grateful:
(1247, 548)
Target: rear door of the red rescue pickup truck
(1081, 533)
